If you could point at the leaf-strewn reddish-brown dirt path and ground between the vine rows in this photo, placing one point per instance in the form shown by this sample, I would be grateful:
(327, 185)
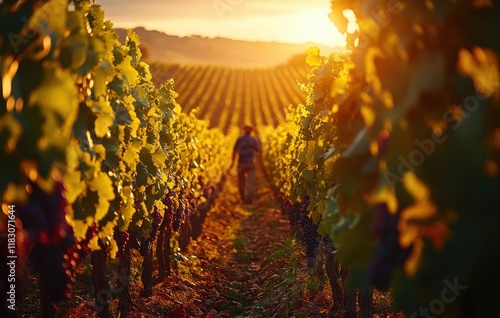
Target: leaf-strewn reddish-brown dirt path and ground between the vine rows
(246, 264)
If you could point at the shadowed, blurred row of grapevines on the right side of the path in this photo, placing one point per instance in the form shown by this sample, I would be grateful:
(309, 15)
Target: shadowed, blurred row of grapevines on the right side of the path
(395, 155)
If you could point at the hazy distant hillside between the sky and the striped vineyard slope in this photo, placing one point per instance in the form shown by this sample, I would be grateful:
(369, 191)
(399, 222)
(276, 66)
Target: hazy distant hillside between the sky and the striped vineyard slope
(220, 51)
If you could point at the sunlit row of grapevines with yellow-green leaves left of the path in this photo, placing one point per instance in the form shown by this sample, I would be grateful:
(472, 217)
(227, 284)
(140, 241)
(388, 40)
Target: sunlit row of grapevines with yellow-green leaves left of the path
(94, 158)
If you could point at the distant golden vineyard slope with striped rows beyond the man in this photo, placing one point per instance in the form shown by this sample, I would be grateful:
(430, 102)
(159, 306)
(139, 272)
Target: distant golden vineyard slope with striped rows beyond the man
(254, 95)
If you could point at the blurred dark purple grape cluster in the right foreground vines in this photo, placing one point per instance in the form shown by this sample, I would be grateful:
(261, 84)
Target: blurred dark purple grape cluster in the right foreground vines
(389, 255)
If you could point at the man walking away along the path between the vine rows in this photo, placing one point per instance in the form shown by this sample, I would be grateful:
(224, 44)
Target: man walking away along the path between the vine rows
(246, 146)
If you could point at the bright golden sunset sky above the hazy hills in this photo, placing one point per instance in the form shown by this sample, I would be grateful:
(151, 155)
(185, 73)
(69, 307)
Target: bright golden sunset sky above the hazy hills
(293, 21)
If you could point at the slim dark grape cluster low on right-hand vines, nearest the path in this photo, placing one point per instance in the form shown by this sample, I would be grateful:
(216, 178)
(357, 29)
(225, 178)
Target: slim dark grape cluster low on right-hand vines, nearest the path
(310, 234)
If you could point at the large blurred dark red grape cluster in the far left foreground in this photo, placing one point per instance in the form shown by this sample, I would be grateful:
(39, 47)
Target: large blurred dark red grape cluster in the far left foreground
(51, 239)
